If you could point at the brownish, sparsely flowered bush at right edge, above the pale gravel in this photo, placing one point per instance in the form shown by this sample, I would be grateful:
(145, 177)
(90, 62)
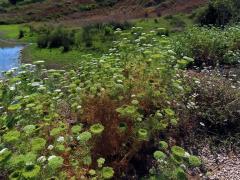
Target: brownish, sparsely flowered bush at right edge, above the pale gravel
(216, 106)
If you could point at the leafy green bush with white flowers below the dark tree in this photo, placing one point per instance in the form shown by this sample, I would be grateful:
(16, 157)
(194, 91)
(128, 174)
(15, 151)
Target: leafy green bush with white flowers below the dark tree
(209, 45)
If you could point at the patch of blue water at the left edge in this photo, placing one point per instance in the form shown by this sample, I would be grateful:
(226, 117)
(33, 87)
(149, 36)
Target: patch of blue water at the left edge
(9, 57)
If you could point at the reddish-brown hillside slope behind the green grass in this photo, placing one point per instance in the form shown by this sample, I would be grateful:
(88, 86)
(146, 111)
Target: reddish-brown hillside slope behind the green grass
(85, 12)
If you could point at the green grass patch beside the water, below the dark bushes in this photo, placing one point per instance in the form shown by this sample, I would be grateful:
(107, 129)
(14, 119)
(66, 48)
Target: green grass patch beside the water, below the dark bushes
(54, 58)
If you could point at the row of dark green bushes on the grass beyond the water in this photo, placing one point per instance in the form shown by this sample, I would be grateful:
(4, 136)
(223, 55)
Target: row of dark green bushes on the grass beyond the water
(97, 37)
